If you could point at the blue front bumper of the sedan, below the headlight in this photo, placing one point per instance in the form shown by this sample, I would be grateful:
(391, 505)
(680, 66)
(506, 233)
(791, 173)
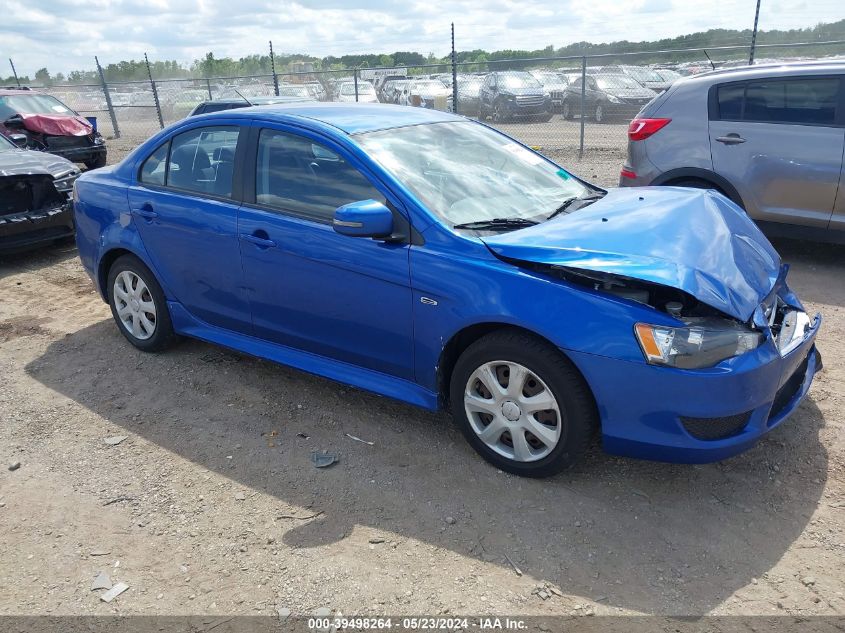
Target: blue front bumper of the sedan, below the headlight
(662, 413)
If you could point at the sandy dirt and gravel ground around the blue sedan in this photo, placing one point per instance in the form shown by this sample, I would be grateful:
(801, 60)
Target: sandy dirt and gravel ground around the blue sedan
(211, 505)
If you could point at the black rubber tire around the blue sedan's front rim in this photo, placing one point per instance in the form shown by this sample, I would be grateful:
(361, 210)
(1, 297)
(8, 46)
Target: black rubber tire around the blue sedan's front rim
(578, 418)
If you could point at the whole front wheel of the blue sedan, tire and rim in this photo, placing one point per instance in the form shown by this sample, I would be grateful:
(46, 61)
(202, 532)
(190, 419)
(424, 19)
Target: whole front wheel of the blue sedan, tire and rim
(521, 404)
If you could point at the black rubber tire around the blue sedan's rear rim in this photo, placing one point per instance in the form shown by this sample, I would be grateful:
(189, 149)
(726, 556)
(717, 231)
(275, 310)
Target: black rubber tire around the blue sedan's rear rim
(163, 335)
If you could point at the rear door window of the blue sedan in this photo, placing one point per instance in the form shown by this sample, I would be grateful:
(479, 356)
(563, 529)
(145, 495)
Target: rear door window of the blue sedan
(203, 160)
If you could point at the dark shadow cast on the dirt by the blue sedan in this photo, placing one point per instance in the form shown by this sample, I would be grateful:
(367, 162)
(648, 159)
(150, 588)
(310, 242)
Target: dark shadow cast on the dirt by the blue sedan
(646, 536)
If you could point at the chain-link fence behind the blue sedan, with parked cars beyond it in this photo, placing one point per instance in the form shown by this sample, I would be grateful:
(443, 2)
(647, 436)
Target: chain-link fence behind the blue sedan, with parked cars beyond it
(570, 108)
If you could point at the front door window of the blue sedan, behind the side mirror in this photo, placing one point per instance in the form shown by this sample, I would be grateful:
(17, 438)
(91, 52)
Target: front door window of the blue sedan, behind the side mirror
(300, 176)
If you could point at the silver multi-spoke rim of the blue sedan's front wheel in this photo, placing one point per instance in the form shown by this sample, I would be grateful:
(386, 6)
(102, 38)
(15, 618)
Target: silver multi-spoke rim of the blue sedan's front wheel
(513, 411)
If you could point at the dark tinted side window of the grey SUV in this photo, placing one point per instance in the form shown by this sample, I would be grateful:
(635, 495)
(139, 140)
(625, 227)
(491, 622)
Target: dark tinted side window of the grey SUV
(802, 101)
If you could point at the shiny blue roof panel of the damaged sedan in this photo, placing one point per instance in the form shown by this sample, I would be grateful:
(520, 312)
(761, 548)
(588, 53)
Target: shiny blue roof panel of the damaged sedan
(352, 118)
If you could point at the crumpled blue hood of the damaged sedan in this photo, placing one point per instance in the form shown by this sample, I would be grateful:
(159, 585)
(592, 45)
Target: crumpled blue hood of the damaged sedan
(695, 240)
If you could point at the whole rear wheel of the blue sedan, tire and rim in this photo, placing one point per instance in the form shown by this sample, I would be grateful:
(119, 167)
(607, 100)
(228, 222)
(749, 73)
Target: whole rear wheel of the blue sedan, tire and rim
(138, 305)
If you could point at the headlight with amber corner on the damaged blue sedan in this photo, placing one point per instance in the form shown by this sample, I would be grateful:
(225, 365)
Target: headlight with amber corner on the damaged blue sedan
(704, 342)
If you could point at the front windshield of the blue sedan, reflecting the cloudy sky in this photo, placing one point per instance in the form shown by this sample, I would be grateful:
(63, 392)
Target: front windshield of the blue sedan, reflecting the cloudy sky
(465, 172)
